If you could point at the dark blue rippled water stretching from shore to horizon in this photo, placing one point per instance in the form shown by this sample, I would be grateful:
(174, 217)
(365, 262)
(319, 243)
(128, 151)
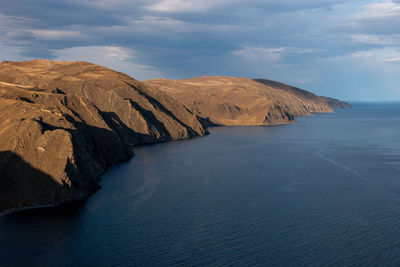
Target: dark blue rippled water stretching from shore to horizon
(322, 191)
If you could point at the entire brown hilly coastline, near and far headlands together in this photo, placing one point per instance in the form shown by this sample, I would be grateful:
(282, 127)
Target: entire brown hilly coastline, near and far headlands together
(62, 124)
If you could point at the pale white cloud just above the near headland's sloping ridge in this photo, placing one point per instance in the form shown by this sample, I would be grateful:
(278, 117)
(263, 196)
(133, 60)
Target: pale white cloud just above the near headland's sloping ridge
(114, 57)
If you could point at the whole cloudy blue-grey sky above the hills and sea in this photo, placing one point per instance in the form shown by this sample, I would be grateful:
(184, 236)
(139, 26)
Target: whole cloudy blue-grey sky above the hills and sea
(339, 48)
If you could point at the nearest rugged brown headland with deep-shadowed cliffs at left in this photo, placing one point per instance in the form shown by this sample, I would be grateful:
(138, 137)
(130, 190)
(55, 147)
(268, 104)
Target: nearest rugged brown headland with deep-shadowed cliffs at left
(63, 123)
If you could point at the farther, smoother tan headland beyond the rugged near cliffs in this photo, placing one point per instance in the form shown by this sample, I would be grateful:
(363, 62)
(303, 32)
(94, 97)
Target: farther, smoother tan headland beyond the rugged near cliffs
(242, 101)
